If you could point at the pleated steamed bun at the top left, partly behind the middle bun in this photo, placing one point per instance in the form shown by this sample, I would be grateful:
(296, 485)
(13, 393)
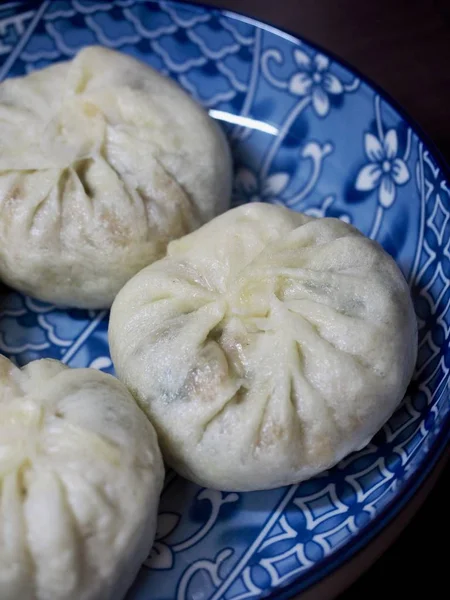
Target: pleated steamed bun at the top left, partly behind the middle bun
(103, 161)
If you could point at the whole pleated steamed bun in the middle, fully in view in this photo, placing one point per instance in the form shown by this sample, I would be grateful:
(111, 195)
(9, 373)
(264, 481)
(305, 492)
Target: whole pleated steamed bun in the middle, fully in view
(266, 346)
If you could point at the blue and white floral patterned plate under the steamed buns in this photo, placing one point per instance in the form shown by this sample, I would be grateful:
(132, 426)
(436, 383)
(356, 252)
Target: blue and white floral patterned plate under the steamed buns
(309, 133)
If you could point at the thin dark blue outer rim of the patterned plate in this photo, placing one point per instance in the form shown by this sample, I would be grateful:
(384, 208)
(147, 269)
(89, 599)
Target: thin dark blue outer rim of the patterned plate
(367, 533)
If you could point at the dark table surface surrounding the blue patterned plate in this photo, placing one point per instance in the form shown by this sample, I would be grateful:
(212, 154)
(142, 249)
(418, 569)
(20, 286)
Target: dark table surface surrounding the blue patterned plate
(404, 46)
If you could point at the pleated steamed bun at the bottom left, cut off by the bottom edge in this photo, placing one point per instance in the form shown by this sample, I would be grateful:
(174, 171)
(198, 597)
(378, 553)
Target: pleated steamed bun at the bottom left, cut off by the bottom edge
(80, 478)
